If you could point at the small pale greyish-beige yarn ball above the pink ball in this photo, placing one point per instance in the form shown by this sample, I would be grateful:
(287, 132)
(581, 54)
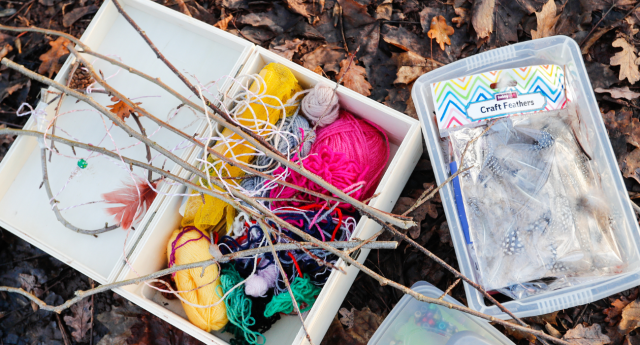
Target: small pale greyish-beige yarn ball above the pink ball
(320, 105)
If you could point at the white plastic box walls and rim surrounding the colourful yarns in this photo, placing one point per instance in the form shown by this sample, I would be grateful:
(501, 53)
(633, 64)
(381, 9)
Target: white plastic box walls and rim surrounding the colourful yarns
(406, 148)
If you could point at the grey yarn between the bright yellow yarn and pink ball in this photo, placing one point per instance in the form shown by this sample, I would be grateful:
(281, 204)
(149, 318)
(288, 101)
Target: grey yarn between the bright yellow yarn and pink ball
(299, 127)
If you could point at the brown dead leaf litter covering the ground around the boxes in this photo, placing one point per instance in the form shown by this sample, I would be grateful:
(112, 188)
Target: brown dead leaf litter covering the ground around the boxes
(393, 44)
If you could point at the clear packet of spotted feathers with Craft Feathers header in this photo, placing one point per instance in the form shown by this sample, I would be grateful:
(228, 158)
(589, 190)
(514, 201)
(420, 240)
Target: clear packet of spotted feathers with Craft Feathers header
(531, 205)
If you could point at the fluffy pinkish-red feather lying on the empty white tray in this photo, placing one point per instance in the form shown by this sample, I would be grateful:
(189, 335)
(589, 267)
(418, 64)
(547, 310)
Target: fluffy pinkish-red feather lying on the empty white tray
(132, 201)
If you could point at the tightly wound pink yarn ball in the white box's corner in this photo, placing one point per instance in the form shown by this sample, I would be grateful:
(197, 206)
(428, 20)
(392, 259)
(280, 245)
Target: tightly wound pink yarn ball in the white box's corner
(361, 141)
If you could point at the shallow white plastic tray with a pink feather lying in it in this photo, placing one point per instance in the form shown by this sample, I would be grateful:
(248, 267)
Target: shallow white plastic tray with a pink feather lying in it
(193, 47)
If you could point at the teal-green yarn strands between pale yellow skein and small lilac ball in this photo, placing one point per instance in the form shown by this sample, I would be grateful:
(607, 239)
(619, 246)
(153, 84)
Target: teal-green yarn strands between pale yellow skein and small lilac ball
(238, 309)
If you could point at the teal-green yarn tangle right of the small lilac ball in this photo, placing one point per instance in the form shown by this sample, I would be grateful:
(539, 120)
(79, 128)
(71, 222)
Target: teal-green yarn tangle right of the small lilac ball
(304, 292)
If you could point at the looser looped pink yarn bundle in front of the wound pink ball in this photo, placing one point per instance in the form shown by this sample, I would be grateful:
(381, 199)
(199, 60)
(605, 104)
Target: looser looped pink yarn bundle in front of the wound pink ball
(332, 166)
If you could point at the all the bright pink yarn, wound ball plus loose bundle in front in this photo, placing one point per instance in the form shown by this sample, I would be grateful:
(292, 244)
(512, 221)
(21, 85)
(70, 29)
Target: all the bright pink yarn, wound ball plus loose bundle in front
(349, 152)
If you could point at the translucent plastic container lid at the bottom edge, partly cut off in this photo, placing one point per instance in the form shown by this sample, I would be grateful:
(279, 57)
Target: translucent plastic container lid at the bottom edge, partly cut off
(412, 322)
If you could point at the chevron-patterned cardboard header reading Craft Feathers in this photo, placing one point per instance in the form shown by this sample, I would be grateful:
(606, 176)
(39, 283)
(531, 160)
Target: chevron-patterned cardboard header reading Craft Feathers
(473, 99)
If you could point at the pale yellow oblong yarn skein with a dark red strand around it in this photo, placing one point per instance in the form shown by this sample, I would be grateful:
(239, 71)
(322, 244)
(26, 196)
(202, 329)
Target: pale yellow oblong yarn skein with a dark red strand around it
(187, 246)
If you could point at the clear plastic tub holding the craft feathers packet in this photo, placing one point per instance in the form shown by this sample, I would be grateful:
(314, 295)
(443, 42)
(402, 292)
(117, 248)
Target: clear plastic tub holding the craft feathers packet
(563, 51)
